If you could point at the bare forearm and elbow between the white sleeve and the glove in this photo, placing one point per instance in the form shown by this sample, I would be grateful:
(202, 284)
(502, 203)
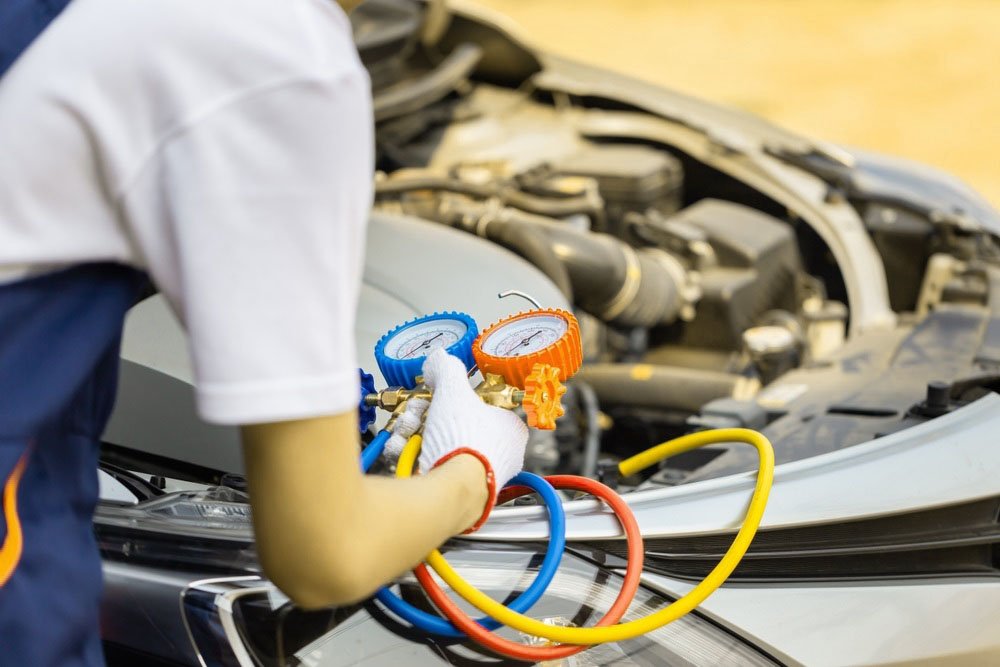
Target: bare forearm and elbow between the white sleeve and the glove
(326, 533)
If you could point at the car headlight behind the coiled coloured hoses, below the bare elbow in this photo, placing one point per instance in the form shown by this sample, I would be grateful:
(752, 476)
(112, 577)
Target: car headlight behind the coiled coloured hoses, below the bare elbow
(253, 623)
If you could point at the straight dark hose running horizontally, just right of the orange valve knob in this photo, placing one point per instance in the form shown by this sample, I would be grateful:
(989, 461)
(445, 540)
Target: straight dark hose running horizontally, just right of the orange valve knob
(648, 386)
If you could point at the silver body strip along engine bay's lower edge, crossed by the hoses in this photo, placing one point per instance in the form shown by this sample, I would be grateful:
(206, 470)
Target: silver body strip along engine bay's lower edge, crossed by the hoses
(947, 461)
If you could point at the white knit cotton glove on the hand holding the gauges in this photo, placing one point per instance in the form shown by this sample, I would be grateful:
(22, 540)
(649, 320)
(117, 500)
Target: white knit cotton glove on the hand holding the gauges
(458, 418)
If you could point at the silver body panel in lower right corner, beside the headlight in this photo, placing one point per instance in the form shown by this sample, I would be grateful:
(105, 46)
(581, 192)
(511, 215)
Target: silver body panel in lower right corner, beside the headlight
(920, 622)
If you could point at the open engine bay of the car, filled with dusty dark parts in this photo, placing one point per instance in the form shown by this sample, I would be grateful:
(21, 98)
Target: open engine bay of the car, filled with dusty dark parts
(704, 301)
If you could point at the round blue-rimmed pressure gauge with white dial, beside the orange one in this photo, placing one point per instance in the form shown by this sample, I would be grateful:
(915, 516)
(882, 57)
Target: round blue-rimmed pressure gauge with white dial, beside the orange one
(400, 353)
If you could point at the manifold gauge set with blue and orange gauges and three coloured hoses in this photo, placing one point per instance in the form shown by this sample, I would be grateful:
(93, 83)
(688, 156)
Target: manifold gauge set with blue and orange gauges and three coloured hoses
(523, 360)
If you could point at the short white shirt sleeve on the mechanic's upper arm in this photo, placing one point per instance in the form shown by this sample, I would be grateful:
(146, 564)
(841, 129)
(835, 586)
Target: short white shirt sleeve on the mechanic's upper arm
(251, 219)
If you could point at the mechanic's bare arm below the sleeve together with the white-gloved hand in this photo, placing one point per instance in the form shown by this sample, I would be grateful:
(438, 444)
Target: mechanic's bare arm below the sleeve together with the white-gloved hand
(327, 534)
